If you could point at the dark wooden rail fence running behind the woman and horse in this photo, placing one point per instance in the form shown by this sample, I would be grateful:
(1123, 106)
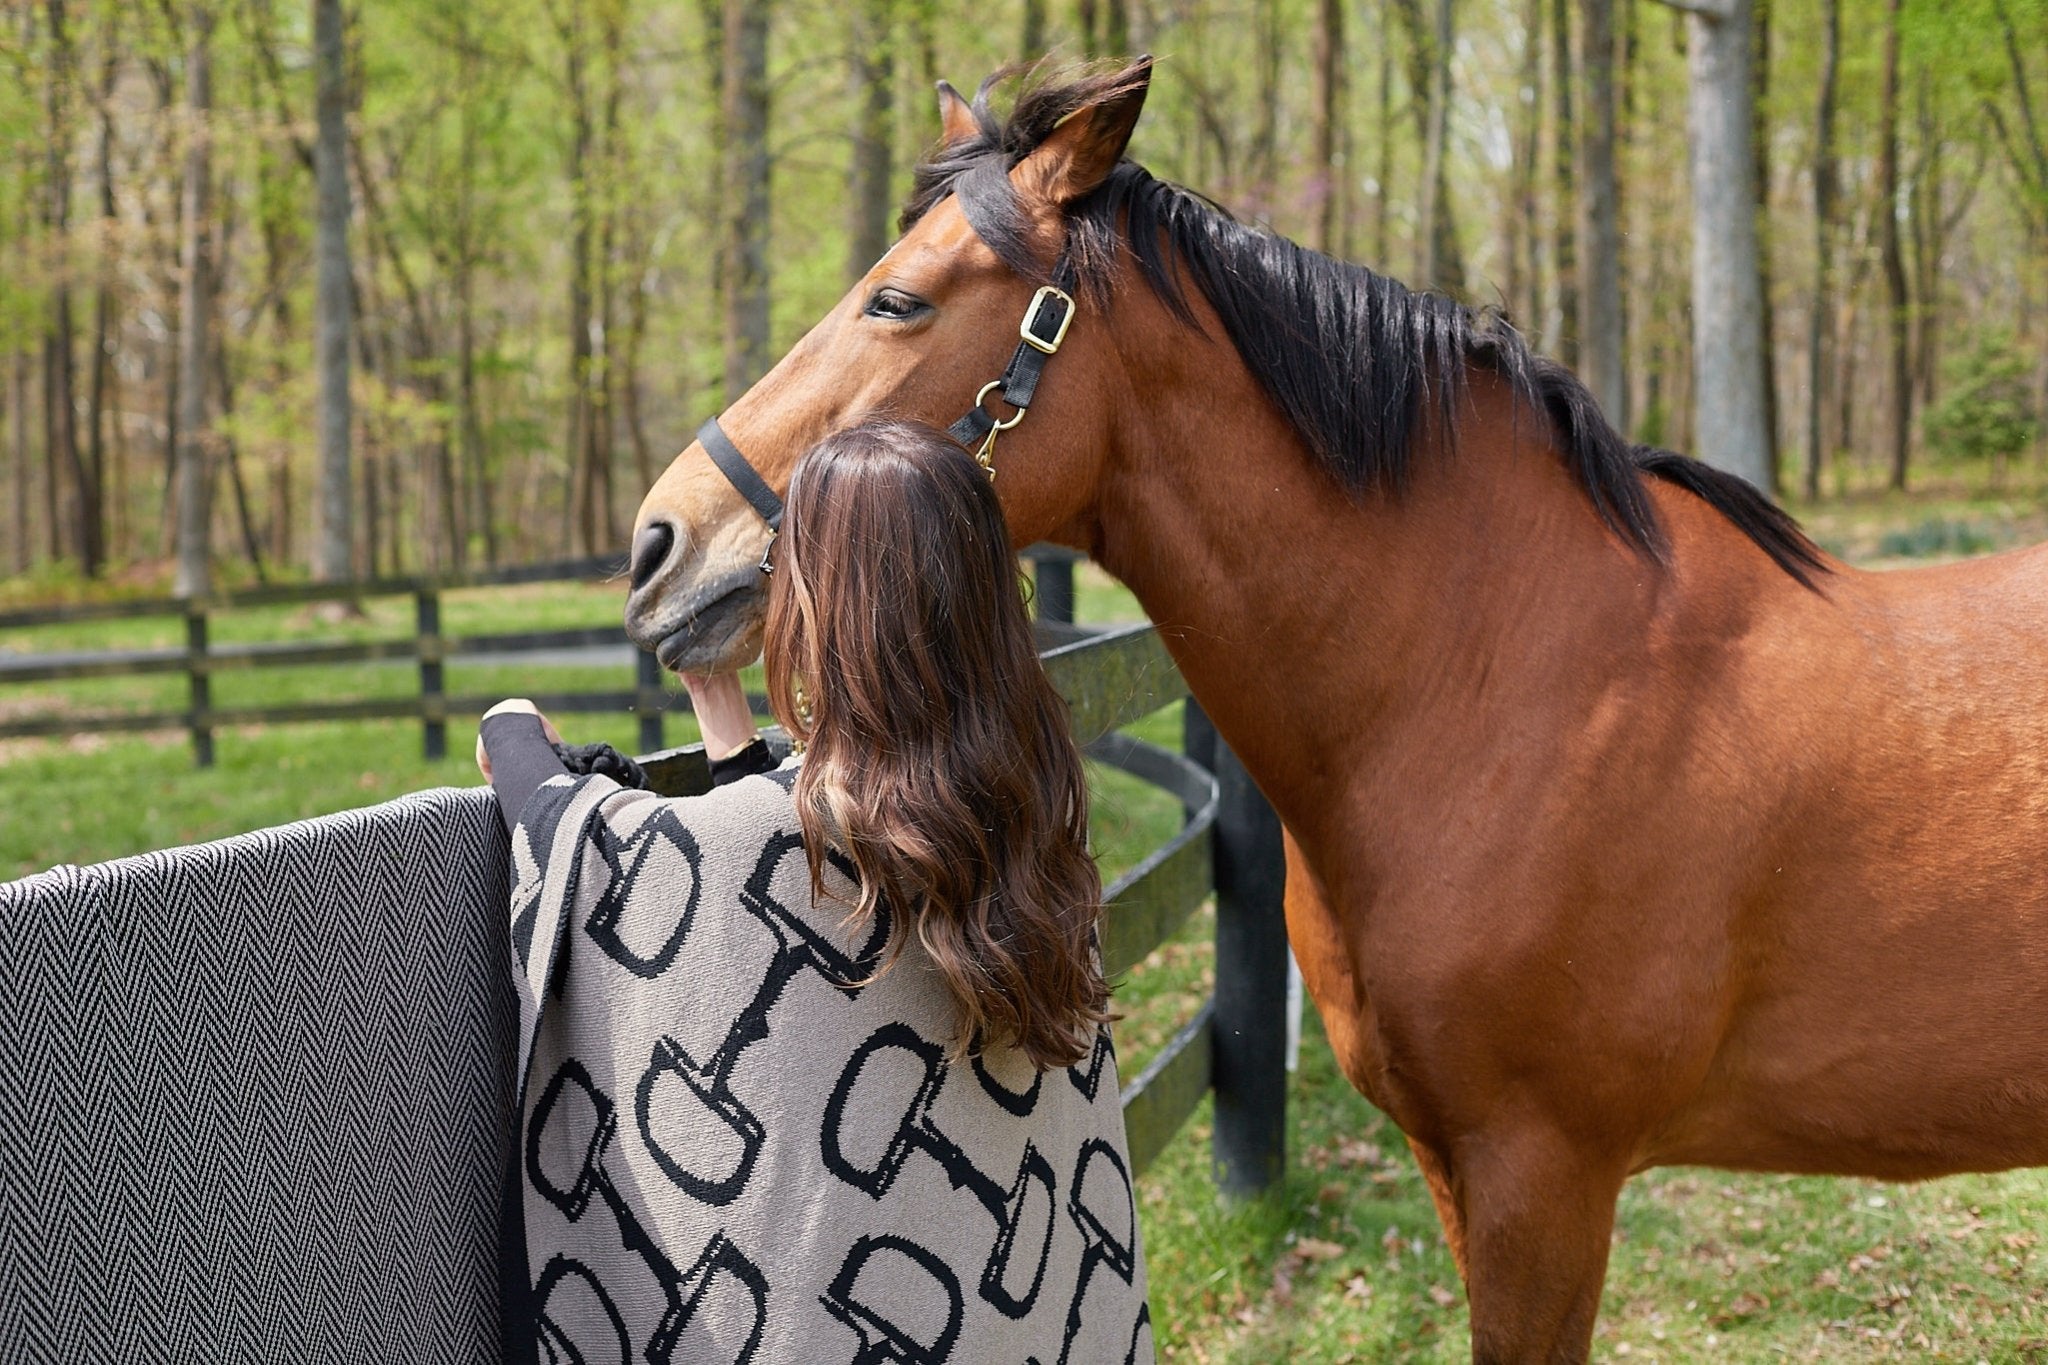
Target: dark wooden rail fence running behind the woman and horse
(1230, 844)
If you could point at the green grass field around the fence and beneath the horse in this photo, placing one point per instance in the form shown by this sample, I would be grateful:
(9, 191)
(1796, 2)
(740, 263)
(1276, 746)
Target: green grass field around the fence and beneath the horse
(1345, 1262)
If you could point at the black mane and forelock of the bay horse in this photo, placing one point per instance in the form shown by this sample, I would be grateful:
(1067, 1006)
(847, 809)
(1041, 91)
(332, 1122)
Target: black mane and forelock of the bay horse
(1351, 357)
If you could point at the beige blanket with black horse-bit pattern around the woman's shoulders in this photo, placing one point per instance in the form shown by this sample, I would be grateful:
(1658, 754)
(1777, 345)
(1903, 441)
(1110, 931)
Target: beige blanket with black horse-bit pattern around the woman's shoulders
(742, 1147)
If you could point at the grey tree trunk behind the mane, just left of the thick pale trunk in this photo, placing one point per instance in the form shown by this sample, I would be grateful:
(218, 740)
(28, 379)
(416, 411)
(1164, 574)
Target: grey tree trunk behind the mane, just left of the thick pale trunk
(1601, 232)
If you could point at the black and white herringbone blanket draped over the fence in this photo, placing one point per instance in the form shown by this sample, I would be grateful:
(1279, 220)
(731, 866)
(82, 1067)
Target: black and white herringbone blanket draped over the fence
(255, 1096)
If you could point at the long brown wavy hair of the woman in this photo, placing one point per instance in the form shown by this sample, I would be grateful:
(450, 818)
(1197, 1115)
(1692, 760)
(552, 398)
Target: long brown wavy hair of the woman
(939, 756)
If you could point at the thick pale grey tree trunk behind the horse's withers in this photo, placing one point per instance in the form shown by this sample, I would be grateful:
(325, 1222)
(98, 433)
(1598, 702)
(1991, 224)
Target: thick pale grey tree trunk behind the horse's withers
(1727, 288)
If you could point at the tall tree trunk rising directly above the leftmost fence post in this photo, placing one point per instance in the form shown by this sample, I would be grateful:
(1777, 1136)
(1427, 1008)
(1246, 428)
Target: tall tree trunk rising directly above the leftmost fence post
(196, 310)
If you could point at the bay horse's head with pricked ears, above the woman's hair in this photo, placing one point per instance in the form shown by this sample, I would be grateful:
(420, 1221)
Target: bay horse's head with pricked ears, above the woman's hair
(919, 337)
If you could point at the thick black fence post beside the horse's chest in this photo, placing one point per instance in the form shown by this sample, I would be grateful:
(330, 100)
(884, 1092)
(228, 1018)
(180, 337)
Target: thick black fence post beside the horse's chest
(1250, 1022)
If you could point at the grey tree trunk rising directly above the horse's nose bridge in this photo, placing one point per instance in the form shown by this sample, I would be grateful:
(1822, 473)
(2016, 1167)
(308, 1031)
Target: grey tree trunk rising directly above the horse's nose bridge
(746, 193)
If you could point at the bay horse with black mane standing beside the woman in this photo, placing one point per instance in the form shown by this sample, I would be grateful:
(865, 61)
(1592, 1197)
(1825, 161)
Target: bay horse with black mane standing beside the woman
(1625, 828)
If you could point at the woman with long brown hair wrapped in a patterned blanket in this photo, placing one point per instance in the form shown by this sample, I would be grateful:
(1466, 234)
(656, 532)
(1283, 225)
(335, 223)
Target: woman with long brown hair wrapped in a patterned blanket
(816, 1067)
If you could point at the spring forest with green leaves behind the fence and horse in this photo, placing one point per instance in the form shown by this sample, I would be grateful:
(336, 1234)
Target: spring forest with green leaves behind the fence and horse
(556, 234)
